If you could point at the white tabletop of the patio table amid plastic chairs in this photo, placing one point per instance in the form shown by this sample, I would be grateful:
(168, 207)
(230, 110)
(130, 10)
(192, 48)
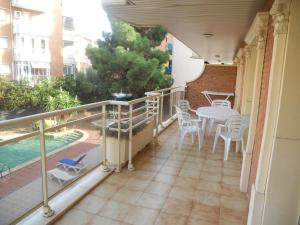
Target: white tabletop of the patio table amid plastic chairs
(216, 112)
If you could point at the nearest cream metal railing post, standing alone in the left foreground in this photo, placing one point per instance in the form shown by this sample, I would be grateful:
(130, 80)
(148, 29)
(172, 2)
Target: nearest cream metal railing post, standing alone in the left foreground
(47, 211)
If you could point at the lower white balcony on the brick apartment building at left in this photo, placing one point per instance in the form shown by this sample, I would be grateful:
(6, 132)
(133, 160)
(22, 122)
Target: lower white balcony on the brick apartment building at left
(32, 55)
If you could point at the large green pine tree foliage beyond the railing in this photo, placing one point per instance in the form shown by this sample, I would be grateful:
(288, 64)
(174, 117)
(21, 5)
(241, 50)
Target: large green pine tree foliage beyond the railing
(127, 59)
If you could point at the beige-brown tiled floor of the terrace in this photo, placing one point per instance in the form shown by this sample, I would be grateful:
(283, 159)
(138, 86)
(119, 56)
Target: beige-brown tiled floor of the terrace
(168, 187)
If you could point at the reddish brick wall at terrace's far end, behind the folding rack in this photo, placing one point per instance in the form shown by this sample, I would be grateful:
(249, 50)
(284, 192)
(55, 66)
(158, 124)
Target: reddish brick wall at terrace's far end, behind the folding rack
(220, 78)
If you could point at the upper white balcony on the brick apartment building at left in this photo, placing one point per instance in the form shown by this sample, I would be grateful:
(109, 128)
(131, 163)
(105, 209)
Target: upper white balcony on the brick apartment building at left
(25, 26)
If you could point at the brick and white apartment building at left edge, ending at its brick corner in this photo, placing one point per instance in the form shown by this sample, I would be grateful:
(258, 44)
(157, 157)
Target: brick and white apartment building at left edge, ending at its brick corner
(30, 39)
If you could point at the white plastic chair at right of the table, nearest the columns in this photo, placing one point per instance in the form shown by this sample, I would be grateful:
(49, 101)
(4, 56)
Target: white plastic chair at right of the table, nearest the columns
(233, 130)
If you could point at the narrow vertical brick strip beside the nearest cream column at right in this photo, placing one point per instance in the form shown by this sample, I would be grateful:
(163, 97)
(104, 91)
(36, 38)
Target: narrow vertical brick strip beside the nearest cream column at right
(262, 100)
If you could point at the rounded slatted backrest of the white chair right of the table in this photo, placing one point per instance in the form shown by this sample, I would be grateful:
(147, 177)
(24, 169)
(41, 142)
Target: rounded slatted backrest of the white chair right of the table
(235, 127)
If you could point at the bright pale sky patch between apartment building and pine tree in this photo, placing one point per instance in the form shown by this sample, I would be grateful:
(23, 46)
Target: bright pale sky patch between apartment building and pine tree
(90, 17)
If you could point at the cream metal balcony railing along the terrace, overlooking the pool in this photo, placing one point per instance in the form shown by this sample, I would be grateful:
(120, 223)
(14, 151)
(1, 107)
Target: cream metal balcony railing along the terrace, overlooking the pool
(90, 126)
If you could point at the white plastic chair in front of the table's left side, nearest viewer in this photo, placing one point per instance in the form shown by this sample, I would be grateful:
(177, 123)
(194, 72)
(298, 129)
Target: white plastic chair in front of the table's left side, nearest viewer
(189, 126)
